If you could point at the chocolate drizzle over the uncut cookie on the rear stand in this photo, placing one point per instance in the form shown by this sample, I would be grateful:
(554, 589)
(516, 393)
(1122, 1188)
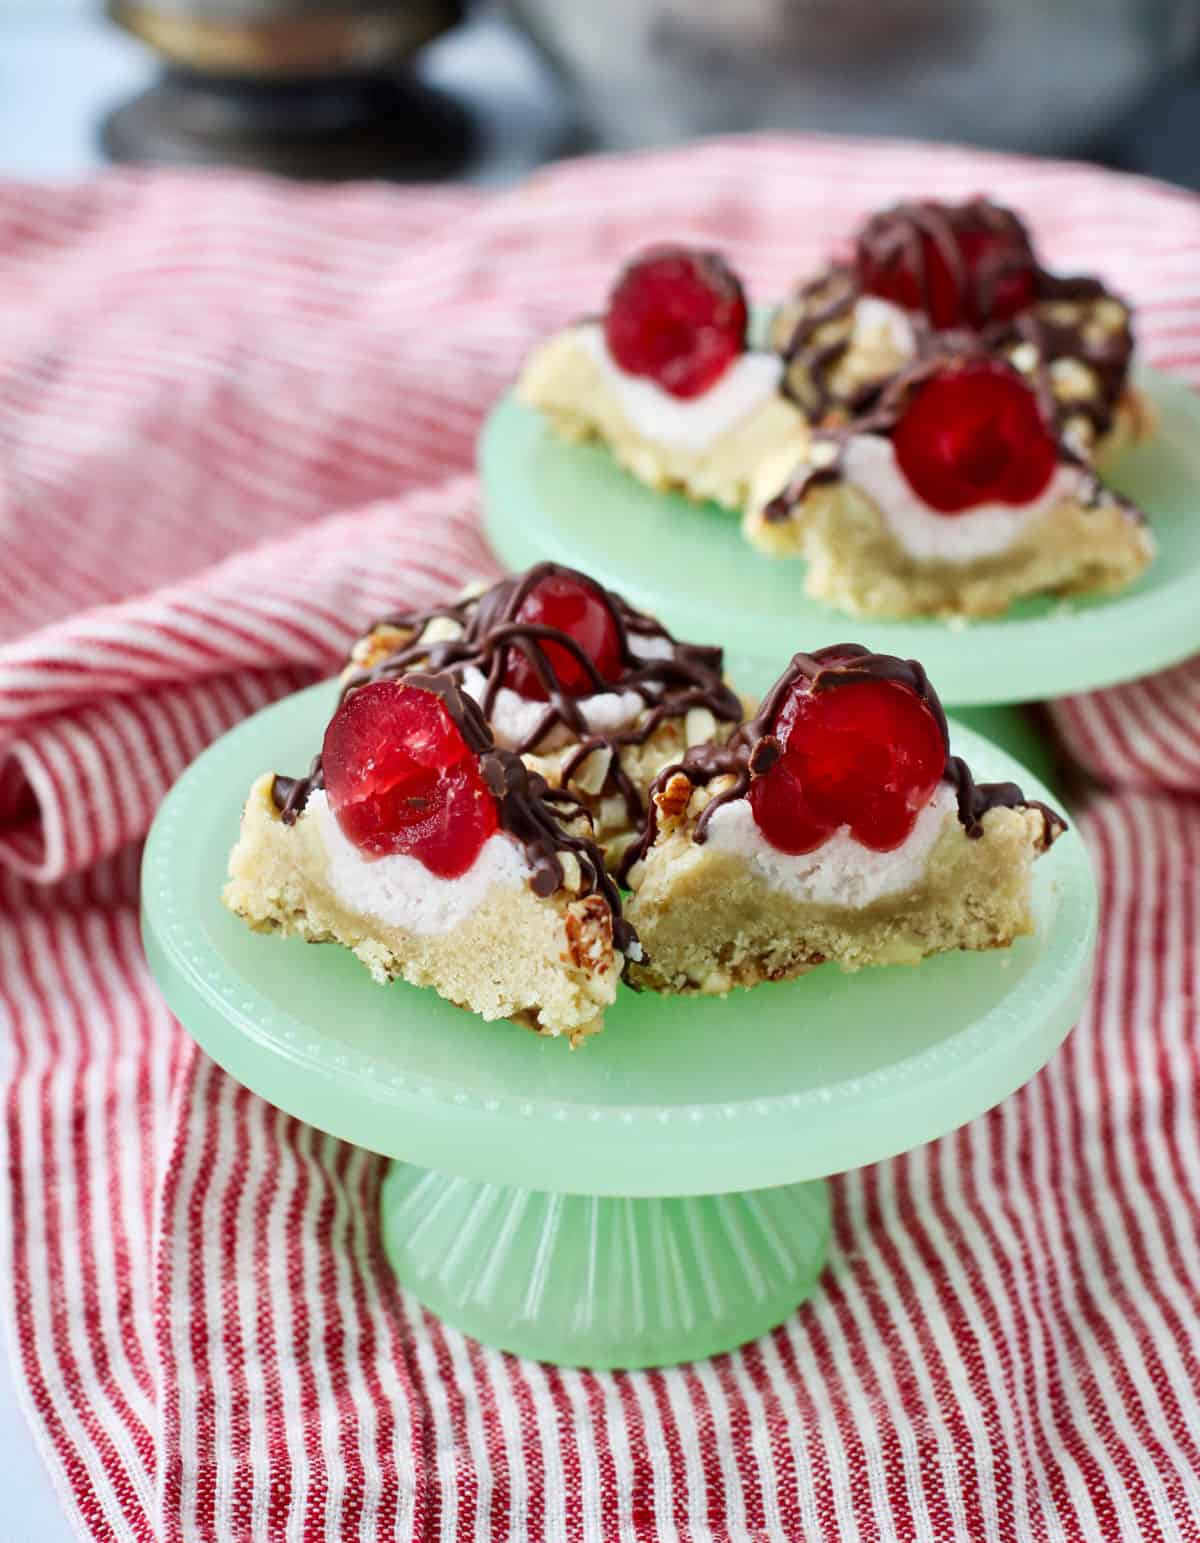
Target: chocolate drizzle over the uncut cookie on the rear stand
(895, 235)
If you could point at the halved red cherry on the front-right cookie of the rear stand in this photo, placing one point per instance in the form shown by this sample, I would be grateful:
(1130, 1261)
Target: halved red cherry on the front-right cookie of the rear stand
(974, 436)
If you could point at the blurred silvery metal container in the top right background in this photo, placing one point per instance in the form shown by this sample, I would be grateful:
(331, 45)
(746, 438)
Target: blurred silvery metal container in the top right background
(1026, 75)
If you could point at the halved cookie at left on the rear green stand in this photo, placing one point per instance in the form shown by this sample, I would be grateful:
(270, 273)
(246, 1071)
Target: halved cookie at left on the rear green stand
(669, 382)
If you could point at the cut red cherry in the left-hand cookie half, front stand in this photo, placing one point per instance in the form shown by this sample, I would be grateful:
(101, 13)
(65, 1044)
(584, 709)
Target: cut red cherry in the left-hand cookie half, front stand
(402, 778)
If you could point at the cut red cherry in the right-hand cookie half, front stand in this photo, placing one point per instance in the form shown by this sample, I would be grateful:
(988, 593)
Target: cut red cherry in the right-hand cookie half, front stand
(868, 755)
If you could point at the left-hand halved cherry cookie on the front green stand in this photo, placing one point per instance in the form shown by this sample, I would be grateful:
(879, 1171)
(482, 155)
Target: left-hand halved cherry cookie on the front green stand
(437, 859)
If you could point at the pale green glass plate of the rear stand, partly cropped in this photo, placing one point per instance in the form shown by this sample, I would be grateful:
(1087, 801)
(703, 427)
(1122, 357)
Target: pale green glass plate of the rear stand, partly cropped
(689, 564)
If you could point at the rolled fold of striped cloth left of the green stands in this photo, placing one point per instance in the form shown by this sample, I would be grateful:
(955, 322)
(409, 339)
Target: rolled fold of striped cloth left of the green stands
(101, 714)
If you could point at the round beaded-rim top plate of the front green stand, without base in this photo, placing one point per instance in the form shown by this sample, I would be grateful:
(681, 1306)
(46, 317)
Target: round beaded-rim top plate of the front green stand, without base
(678, 1096)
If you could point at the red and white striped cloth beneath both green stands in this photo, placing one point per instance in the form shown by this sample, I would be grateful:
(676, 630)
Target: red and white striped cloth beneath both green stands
(235, 422)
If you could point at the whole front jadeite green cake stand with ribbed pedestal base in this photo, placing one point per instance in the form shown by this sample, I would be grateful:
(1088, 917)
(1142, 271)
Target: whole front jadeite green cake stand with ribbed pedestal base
(655, 1197)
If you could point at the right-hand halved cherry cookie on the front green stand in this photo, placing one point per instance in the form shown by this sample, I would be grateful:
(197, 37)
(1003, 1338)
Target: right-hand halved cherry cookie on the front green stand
(834, 828)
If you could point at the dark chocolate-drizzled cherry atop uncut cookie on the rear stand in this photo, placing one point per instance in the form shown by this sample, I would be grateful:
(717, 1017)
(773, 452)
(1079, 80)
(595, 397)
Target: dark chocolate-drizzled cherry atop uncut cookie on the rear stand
(988, 275)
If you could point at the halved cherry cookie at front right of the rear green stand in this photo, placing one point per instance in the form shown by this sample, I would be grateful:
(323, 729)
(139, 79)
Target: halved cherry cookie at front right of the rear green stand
(956, 498)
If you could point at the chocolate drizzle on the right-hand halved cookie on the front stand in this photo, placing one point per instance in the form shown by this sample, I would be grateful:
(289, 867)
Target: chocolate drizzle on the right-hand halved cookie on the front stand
(755, 749)
